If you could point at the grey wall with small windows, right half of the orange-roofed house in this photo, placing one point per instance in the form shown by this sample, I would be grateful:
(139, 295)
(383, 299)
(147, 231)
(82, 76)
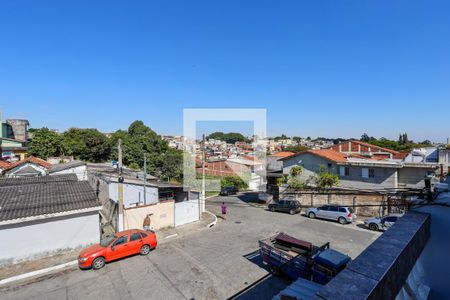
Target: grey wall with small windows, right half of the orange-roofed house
(384, 178)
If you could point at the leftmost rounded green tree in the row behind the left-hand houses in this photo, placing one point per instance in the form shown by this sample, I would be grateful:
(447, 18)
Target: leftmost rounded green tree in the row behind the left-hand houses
(45, 143)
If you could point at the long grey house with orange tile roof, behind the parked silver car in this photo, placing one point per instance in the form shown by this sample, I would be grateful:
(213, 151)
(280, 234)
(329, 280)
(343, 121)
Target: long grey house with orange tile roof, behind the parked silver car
(360, 172)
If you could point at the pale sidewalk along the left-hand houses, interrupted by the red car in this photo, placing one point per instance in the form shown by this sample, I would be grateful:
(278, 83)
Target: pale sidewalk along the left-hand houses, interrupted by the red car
(164, 235)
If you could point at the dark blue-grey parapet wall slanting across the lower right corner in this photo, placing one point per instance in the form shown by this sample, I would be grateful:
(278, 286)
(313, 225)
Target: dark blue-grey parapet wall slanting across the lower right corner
(380, 272)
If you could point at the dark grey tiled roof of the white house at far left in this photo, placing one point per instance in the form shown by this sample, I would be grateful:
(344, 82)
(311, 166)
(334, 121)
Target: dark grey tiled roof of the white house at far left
(31, 200)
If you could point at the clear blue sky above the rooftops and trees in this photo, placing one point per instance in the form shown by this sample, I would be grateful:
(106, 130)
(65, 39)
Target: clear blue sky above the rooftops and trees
(321, 68)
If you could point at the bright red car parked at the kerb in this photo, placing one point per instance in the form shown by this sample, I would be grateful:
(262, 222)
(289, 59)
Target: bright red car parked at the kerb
(119, 245)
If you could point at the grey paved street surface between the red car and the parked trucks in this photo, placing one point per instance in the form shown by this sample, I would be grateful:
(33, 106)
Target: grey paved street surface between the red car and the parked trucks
(209, 264)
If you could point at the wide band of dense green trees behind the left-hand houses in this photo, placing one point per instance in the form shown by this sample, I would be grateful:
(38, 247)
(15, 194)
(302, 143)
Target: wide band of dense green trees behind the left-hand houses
(93, 146)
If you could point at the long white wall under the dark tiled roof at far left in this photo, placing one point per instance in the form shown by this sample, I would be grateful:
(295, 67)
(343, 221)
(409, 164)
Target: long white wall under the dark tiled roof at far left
(42, 238)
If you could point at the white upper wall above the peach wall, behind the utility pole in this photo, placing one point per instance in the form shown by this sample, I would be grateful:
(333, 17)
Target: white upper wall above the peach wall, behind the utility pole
(132, 193)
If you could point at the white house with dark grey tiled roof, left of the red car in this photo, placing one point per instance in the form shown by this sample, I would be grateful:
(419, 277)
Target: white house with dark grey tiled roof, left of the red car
(41, 216)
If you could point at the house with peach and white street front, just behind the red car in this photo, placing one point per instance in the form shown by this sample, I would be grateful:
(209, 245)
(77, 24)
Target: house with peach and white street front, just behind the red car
(171, 204)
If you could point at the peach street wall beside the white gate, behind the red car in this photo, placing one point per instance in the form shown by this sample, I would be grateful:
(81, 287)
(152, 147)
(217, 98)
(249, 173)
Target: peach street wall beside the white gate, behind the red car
(163, 215)
